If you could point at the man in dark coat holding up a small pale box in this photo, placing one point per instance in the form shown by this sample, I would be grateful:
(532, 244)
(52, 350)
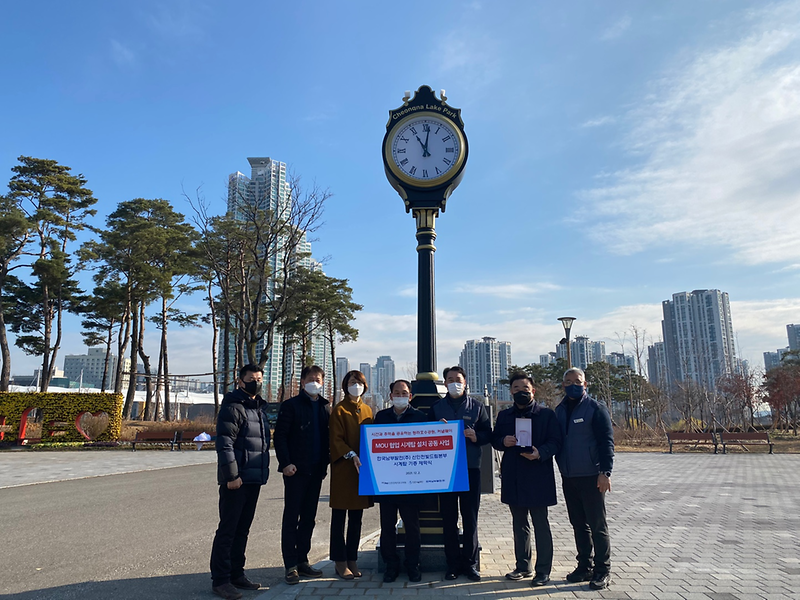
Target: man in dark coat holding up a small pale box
(527, 476)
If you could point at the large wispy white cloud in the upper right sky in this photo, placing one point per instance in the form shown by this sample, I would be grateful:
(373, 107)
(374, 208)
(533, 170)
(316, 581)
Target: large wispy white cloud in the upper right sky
(720, 144)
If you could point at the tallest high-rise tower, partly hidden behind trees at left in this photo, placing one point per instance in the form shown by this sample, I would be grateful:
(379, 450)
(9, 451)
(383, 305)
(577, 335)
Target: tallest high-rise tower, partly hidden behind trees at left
(267, 190)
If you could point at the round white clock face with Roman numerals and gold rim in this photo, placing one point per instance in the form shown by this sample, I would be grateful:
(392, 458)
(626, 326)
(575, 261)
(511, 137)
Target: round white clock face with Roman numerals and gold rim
(425, 150)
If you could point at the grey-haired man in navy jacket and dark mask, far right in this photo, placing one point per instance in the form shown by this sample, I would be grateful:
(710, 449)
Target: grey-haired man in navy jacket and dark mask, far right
(585, 461)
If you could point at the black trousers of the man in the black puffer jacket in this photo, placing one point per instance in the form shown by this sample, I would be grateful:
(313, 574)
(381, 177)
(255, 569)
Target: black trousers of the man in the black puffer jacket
(236, 511)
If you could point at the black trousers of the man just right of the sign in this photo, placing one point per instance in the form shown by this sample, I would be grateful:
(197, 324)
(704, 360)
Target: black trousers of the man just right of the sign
(469, 501)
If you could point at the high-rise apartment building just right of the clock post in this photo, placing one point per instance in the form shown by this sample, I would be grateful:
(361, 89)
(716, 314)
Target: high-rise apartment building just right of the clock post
(486, 362)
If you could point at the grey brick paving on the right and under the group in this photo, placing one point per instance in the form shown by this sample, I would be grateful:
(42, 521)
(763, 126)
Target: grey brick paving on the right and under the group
(683, 527)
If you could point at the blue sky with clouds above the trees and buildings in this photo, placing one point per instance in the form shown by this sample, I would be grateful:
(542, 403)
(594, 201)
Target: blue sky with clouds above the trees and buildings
(619, 152)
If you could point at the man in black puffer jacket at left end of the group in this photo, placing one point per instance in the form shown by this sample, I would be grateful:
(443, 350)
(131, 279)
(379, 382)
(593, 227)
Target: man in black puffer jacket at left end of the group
(242, 468)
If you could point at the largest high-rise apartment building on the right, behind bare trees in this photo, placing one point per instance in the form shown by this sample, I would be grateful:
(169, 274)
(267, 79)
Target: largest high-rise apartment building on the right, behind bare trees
(698, 337)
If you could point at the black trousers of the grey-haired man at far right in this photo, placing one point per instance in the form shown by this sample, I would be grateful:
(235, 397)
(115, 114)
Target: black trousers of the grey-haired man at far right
(586, 507)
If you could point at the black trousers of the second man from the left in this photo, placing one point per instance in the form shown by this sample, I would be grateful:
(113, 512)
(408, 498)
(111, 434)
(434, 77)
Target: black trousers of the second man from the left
(300, 500)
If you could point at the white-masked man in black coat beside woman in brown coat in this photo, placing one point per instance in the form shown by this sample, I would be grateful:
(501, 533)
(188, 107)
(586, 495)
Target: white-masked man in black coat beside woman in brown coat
(302, 448)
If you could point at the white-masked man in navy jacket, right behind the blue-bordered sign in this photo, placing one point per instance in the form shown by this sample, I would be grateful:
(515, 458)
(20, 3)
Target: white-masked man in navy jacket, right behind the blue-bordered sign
(477, 432)
